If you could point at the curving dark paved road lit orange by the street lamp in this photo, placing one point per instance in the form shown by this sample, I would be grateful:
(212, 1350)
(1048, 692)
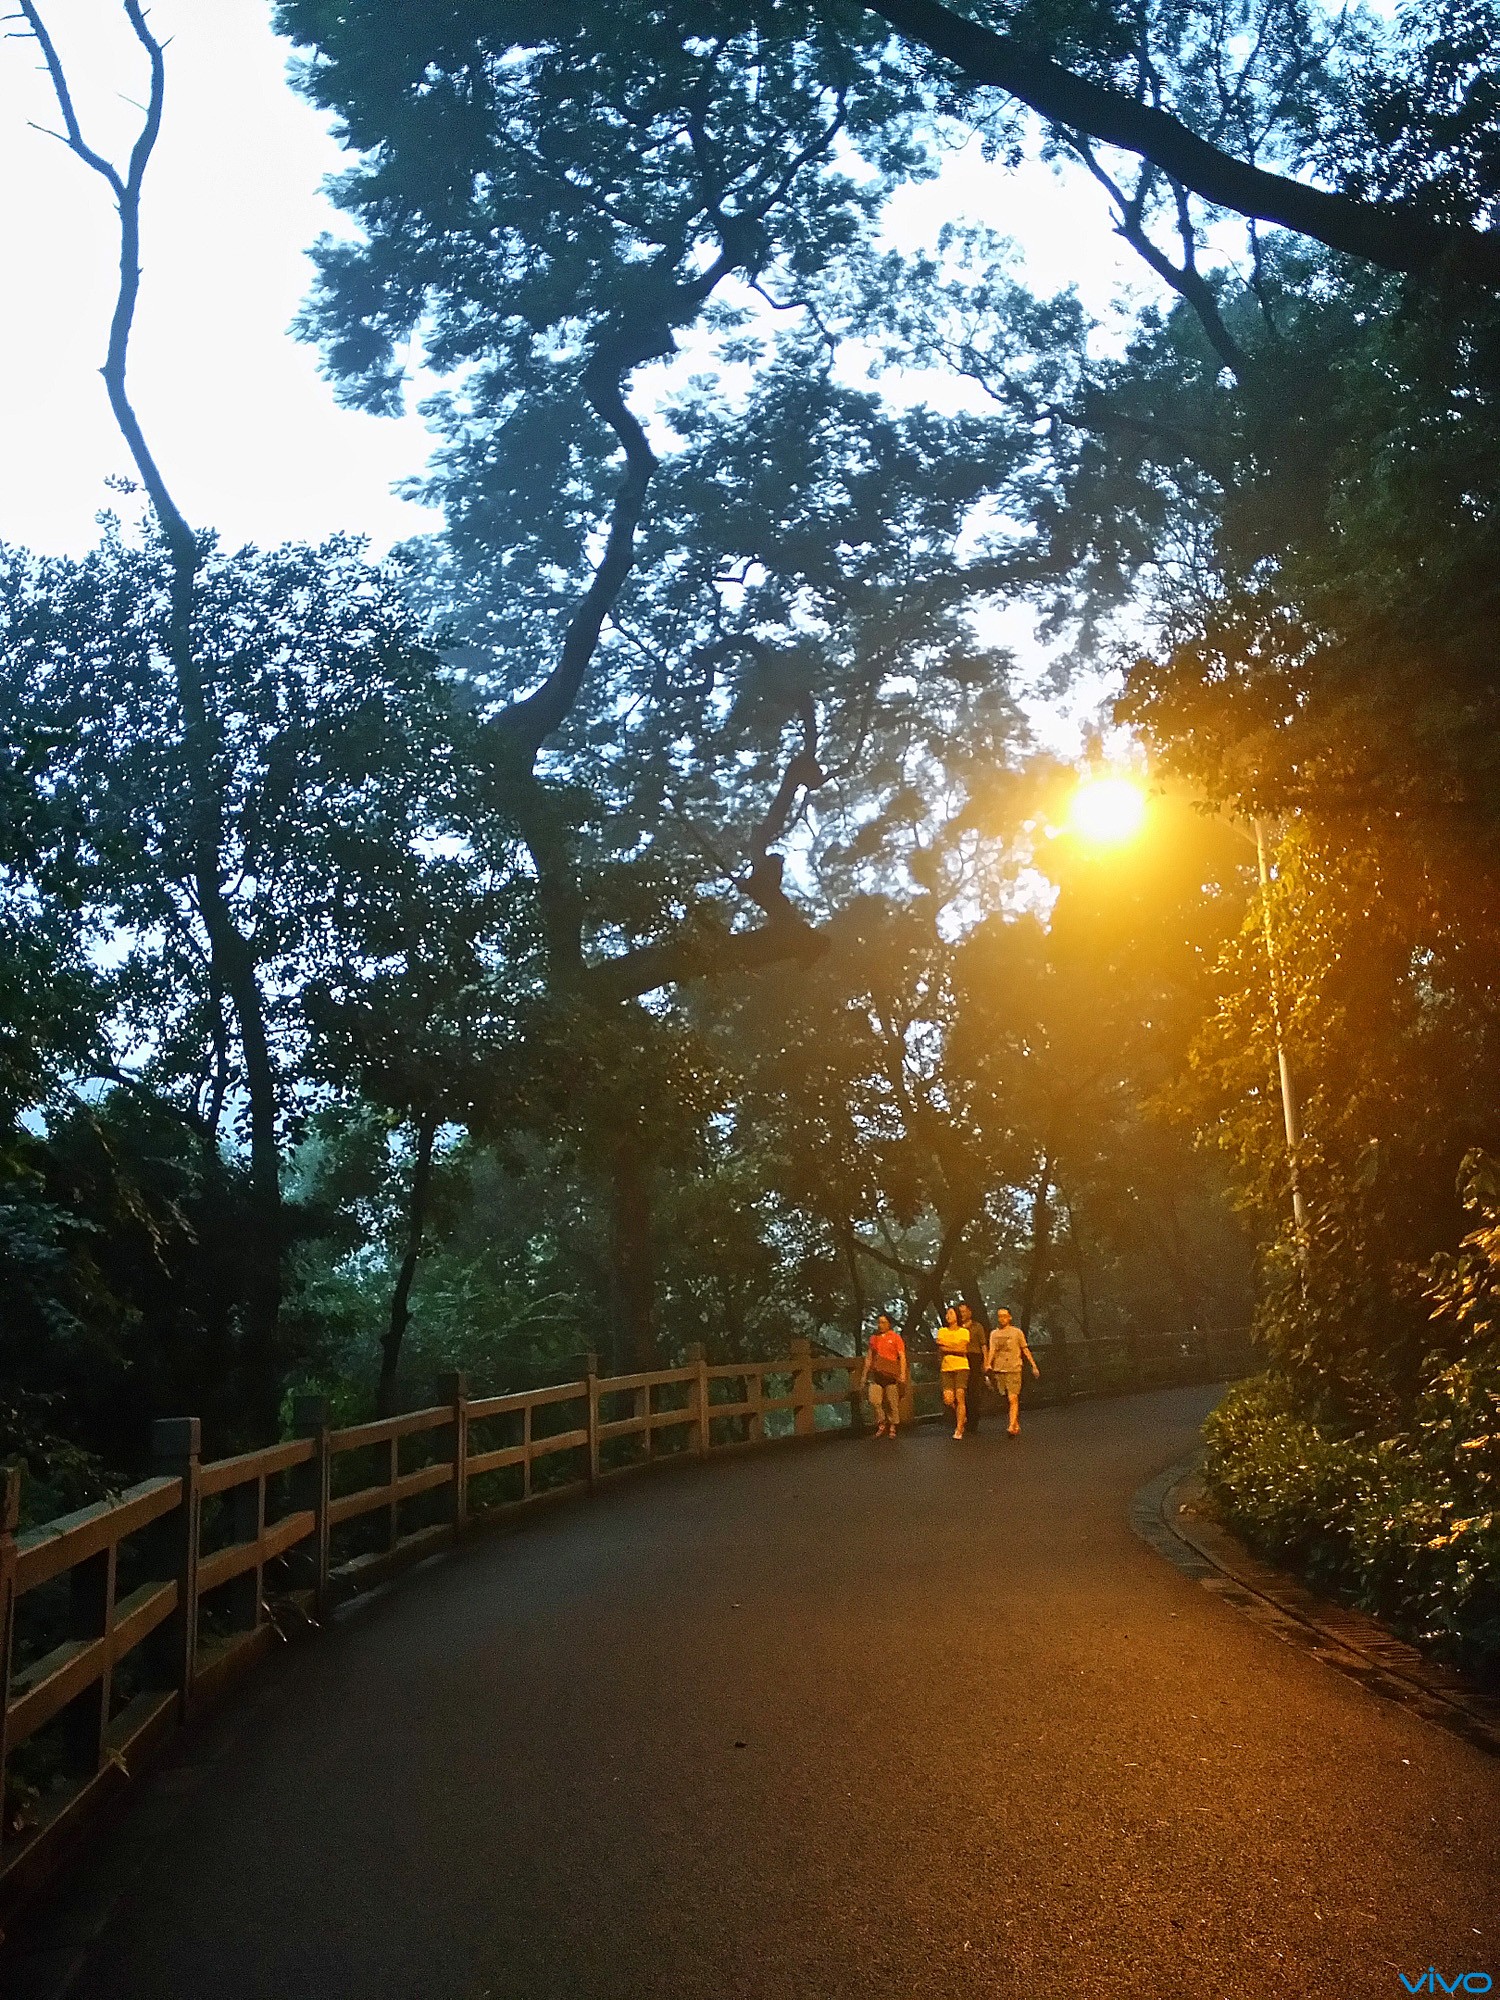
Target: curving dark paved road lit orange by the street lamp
(853, 1721)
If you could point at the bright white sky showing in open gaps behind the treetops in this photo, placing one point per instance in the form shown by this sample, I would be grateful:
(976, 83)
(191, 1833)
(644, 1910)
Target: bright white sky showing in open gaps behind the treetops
(249, 435)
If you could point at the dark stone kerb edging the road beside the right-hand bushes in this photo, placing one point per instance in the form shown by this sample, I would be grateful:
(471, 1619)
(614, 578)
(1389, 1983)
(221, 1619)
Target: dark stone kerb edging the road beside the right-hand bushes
(1169, 1515)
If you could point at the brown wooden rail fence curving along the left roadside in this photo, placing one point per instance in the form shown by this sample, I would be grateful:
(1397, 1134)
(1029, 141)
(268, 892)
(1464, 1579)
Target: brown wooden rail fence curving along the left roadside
(125, 1617)
